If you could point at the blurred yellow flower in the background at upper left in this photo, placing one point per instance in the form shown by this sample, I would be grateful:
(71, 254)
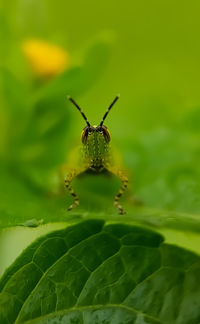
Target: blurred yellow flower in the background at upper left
(46, 60)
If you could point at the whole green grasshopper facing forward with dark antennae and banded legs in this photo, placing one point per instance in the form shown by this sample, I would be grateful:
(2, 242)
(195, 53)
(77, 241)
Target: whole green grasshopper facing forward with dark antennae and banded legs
(96, 156)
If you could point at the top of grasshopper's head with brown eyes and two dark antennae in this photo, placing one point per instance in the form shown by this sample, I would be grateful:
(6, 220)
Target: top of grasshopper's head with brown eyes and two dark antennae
(91, 132)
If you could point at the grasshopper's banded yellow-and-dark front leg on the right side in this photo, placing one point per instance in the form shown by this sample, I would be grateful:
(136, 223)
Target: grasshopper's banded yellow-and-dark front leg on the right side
(124, 180)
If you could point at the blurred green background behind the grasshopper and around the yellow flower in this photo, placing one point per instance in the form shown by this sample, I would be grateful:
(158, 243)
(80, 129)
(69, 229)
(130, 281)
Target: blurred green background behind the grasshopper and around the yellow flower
(149, 52)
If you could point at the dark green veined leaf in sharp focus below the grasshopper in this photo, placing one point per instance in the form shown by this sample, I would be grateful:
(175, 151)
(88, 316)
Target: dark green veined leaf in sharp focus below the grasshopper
(102, 273)
